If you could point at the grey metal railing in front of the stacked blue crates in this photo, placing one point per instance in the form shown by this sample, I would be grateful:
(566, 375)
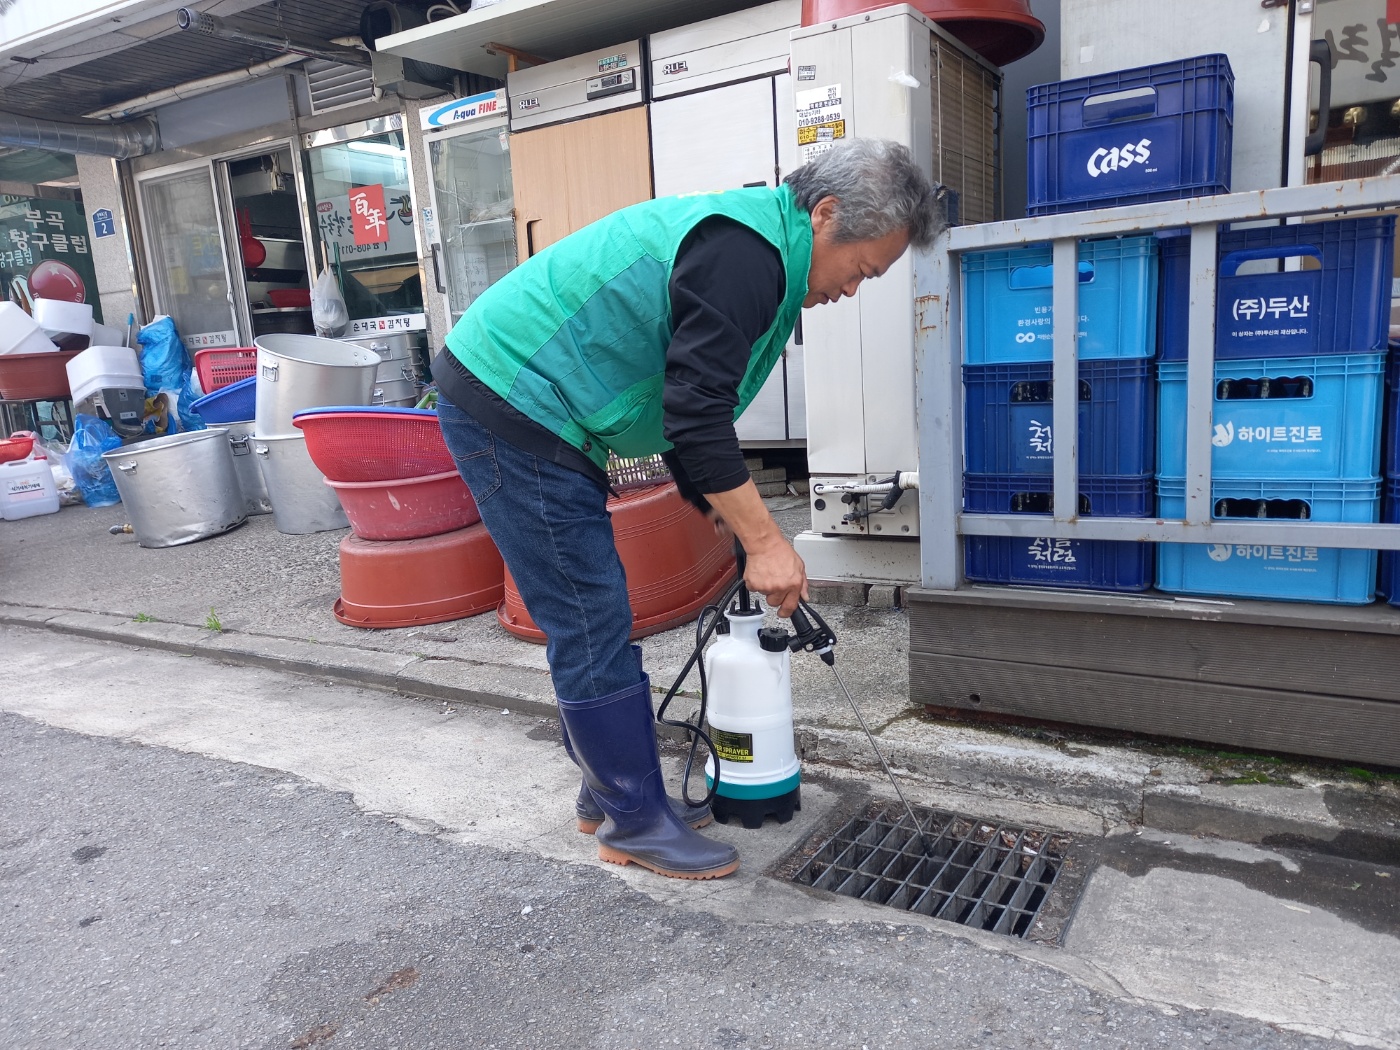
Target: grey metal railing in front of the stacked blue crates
(939, 376)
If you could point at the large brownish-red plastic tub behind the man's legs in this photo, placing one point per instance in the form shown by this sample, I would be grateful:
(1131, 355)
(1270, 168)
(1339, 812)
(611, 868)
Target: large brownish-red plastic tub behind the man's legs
(675, 563)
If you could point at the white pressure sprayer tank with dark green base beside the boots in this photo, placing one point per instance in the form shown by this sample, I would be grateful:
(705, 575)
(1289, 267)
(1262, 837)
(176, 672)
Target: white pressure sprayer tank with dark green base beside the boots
(750, 689)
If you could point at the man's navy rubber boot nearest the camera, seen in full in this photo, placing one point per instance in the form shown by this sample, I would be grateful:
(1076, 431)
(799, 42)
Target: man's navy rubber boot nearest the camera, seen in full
(615, 747)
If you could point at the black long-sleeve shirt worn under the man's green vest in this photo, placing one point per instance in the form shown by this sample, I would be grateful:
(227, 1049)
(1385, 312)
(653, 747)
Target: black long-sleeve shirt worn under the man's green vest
(726, 289)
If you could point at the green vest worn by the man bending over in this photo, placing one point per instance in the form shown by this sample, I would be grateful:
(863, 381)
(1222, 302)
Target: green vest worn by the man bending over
(577, 337)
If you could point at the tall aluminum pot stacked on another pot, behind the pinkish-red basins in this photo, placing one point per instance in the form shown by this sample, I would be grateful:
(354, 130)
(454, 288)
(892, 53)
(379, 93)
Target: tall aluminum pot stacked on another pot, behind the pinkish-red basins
(297, 373)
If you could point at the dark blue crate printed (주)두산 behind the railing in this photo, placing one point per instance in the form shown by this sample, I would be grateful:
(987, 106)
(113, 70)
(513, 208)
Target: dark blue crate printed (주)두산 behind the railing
(1338, 304)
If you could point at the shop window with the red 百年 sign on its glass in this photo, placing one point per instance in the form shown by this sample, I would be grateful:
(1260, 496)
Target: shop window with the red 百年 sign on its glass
(363, 215)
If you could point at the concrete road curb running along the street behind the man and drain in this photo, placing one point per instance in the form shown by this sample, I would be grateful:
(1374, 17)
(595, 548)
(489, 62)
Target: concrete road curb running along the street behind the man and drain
(1102, 790)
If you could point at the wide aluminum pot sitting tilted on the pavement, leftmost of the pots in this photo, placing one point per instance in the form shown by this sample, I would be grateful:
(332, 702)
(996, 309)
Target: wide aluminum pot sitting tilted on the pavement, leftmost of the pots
(178, 489)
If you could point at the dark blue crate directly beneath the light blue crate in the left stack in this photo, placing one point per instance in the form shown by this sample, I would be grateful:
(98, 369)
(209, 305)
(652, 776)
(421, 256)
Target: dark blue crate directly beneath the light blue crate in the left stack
(1010, 409)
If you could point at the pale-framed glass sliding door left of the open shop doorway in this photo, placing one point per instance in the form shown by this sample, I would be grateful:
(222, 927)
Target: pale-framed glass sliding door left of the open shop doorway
(187, 257)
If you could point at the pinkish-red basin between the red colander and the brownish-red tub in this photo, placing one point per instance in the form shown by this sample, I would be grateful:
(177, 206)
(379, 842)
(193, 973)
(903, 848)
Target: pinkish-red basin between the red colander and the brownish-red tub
(408, 509)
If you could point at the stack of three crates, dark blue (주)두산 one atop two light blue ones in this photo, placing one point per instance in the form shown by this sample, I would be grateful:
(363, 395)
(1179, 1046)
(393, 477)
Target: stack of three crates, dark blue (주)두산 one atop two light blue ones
(1303, 316)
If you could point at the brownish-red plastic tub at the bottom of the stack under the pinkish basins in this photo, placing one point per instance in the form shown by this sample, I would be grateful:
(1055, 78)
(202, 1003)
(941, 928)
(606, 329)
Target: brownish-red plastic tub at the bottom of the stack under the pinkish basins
(416, 582)
